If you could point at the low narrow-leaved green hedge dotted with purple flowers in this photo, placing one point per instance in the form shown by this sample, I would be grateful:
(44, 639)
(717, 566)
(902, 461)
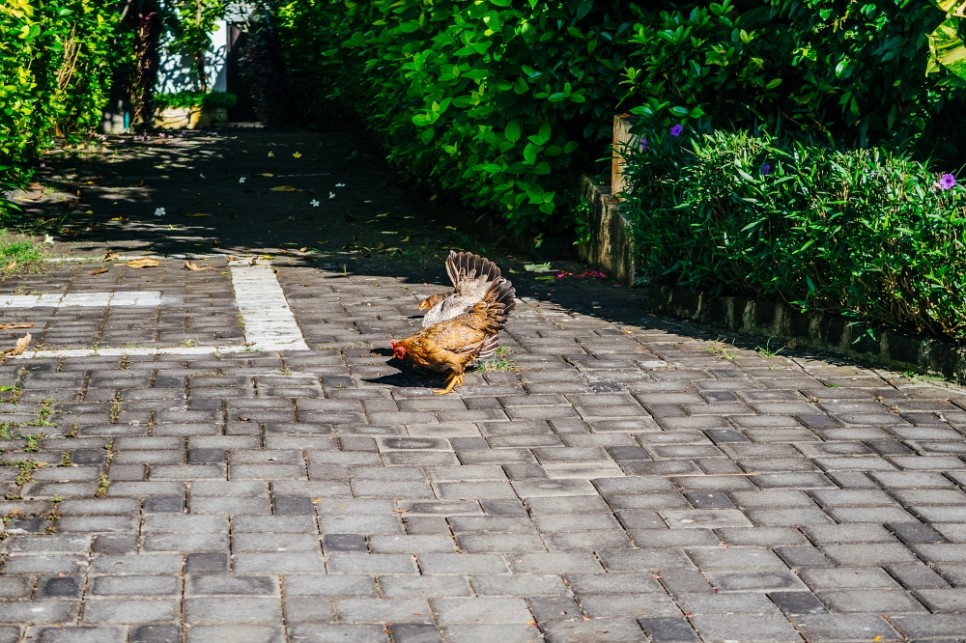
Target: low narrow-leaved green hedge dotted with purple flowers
(862, 233)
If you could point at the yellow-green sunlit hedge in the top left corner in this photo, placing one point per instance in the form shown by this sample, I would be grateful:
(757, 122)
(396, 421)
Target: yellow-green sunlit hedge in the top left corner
(56, 59)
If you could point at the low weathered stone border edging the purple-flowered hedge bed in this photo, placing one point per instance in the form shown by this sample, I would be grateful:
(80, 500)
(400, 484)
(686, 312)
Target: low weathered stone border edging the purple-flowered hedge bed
(611, 248)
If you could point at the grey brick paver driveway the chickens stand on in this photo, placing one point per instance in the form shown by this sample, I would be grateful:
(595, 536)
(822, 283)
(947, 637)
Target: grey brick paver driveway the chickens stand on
(628, 479)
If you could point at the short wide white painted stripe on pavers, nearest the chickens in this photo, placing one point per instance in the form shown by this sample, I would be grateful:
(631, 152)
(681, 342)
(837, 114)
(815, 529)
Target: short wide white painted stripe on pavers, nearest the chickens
(268, 321)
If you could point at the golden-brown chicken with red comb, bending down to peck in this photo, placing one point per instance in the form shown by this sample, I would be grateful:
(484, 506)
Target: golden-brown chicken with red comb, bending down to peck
(451, 345)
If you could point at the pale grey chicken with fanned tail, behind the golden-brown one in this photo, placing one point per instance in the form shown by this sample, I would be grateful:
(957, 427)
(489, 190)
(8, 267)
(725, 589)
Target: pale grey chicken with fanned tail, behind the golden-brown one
(471, 276)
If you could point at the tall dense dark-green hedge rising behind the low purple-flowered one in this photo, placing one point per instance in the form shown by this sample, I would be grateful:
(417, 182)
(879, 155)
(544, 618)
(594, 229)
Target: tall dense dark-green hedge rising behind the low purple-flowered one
(499, 102)
